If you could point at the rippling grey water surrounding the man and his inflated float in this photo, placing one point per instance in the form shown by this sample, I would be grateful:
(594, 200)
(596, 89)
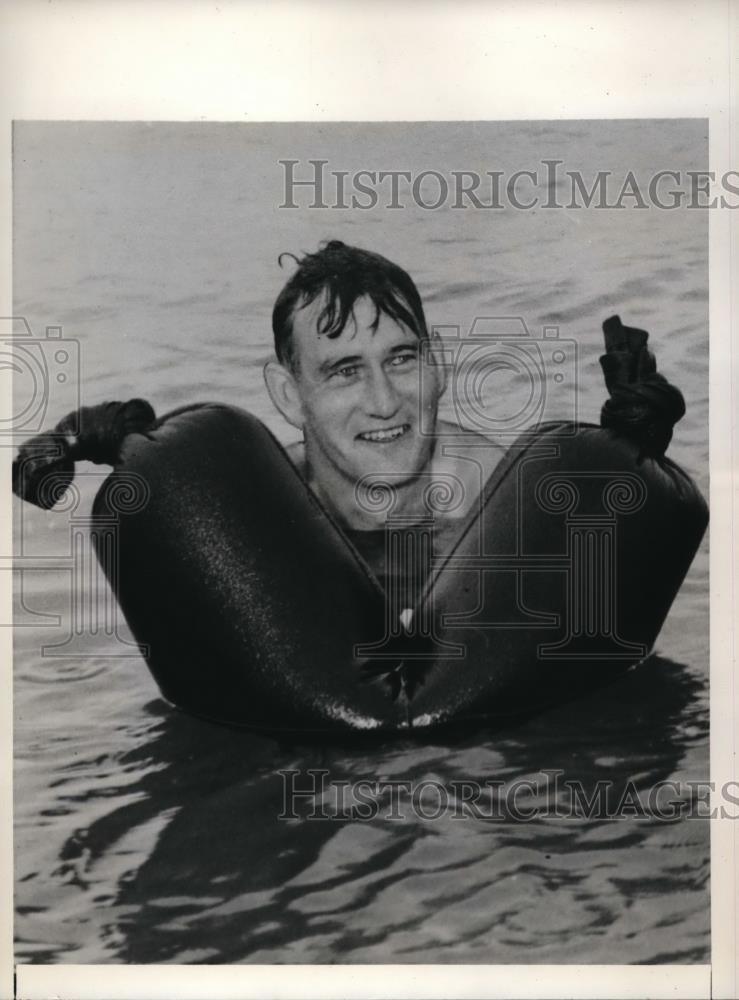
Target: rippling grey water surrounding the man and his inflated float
(143, 835)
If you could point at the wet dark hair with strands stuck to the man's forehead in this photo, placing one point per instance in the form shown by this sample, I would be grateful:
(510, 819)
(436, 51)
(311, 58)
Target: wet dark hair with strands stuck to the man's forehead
(344, 274)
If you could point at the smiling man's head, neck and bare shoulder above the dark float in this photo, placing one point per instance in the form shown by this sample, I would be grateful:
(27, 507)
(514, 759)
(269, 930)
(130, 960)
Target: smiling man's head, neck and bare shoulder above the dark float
(358, 373)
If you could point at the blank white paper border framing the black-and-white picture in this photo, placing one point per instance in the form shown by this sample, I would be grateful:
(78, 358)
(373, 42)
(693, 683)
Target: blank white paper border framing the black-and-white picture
(333, 60)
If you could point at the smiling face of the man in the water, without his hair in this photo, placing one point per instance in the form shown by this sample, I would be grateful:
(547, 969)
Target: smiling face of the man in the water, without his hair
(363, 405)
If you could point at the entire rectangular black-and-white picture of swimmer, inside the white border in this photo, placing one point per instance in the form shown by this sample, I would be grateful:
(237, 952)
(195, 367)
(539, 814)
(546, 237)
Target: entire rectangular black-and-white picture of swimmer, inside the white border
(427, 632)
